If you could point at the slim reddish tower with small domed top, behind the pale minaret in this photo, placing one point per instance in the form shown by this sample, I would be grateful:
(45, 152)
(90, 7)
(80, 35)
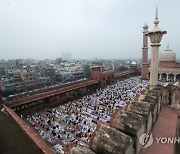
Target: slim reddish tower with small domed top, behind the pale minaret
(144, 70)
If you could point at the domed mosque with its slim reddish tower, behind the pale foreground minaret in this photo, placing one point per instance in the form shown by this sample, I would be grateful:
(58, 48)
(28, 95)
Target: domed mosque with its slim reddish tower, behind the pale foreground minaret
(168, 67)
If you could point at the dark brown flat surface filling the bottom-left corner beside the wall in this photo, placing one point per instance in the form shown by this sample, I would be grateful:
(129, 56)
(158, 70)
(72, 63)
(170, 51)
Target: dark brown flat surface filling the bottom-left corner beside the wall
(13, 139)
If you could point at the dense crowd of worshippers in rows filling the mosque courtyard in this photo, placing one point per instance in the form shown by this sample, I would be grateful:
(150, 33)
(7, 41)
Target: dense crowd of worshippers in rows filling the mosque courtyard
(72, 124)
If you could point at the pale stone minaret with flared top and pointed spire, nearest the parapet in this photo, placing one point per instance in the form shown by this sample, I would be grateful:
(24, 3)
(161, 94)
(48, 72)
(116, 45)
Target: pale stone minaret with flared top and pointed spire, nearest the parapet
(155, 37)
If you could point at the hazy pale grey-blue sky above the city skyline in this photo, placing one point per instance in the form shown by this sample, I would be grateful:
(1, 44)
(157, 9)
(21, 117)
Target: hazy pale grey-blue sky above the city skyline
(86, 28)
